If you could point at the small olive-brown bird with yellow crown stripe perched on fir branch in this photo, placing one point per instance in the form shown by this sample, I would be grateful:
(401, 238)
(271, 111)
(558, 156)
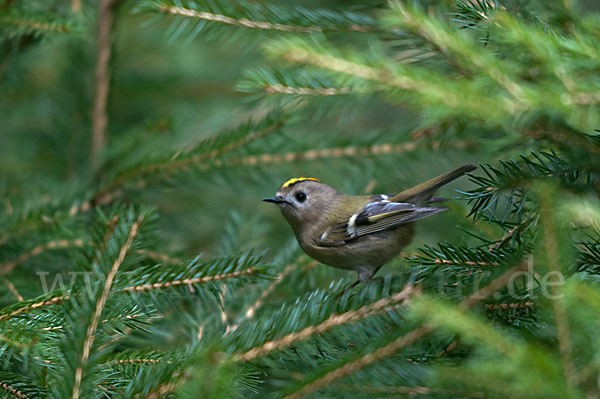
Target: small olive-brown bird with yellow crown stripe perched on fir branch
(362, 232)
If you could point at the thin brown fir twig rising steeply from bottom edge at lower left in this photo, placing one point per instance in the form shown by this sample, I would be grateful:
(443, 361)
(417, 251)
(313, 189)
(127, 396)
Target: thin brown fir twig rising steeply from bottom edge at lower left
(91, 330)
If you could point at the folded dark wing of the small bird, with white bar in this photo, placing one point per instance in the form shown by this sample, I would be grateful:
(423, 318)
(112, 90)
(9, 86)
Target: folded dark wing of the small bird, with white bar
(378, 215)
